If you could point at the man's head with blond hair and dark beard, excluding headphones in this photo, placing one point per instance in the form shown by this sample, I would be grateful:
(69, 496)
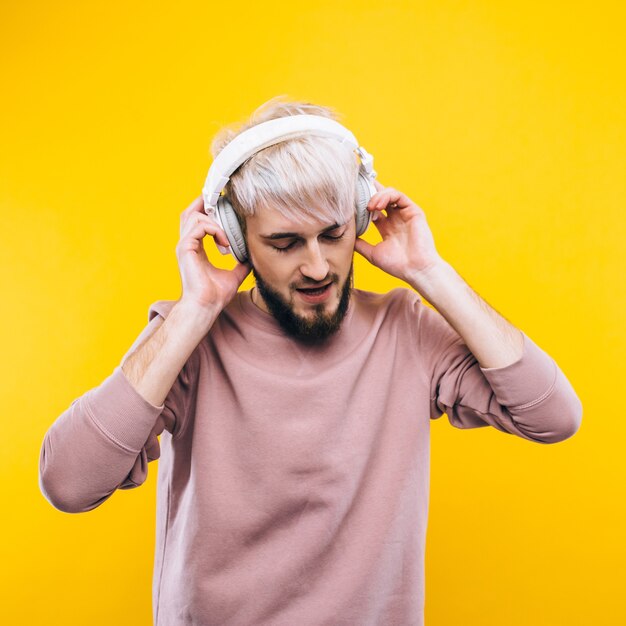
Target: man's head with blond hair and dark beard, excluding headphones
(295, 202)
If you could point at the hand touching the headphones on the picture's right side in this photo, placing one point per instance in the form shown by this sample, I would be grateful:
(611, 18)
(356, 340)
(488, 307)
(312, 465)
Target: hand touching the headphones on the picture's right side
(408, 247)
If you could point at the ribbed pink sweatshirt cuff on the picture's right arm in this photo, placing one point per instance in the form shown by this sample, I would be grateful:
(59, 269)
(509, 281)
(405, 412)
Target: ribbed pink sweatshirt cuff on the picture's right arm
(526, 382)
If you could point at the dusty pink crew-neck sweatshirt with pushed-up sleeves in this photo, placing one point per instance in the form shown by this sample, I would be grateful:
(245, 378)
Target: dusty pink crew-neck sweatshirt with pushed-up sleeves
(293, 482)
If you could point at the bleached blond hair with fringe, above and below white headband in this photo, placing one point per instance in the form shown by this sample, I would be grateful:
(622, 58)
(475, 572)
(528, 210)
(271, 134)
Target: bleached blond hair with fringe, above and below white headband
(305, 178)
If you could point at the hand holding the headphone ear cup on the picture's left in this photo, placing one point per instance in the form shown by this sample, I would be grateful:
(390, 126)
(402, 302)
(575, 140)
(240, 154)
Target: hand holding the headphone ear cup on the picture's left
(203, 284)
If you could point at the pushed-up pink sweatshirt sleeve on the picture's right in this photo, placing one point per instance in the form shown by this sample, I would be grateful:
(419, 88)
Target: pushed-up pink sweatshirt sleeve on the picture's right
(531, 398)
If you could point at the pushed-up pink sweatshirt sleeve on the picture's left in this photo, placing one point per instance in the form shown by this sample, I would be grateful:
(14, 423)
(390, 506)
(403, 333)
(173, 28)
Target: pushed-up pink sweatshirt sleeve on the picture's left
(105, 439)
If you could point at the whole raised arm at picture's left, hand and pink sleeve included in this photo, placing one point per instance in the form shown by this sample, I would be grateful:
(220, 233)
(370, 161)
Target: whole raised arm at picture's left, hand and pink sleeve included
(104, 440)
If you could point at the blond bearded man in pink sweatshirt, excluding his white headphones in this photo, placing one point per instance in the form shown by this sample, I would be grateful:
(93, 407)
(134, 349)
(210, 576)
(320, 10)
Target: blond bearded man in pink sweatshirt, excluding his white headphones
(294, 417)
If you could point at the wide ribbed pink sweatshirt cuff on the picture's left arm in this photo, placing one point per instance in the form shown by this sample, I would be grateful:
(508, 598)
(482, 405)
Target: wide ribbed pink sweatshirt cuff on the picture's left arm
(121, 412)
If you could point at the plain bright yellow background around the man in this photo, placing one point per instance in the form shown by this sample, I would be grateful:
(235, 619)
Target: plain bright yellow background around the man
(504, 121)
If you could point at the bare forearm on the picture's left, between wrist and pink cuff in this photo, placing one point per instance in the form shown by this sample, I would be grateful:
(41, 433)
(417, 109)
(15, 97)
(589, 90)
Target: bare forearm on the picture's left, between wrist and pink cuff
(154, 366)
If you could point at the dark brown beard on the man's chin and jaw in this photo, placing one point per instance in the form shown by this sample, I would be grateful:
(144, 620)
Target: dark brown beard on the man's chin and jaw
(310, 331)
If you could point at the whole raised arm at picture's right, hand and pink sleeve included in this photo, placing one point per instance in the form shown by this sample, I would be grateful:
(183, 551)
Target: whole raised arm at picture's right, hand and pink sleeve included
(484, 371)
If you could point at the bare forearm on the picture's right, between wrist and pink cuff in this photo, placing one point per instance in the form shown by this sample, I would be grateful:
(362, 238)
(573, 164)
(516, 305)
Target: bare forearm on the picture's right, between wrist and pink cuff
(493, 340)
